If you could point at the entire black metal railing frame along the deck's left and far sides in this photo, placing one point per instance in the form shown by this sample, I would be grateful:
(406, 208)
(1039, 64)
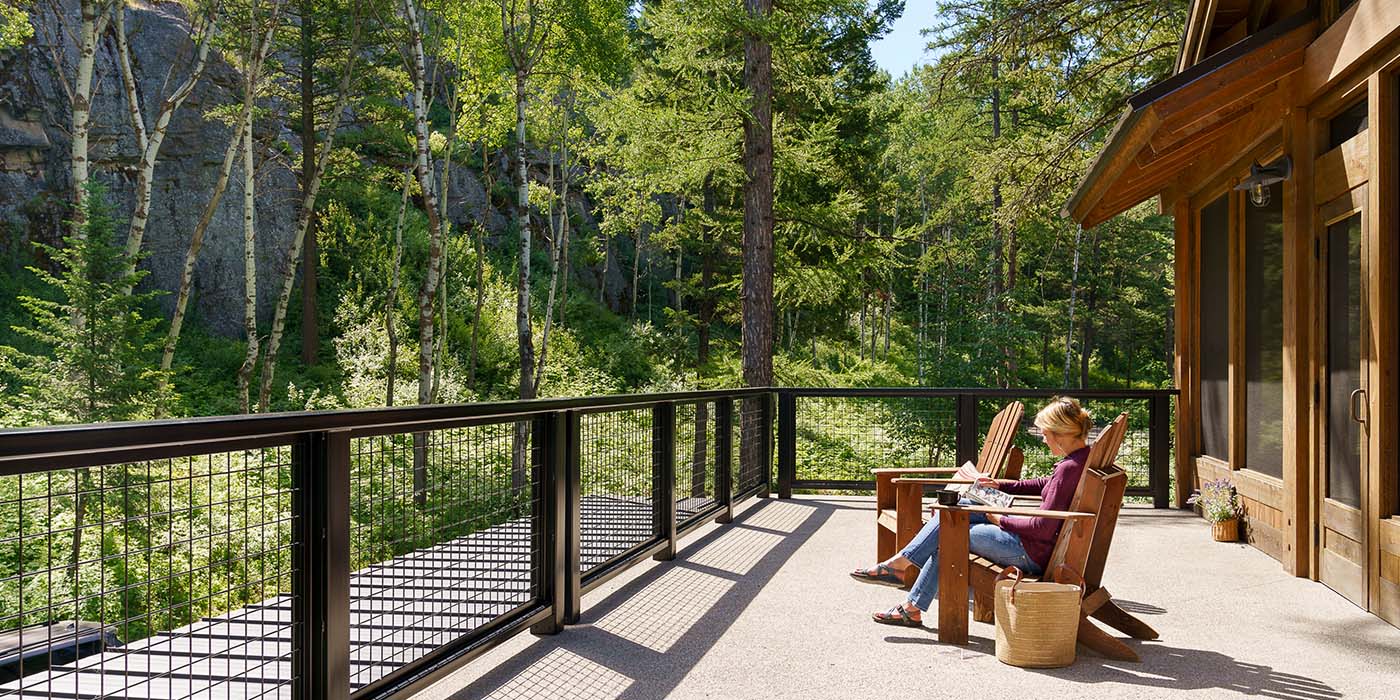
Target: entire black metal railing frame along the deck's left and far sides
(321, 470)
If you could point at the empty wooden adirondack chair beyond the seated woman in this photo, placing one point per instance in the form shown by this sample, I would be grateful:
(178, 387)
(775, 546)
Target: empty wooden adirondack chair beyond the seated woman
(899, 500)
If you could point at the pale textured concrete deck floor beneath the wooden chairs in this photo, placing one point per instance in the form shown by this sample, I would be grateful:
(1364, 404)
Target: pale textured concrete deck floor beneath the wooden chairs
(765, 610)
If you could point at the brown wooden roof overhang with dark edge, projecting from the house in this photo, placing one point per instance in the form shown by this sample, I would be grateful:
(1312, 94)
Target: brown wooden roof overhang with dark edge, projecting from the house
(1228, 103)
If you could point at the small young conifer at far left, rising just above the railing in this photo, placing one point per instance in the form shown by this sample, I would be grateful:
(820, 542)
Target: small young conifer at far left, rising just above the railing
(97, 346)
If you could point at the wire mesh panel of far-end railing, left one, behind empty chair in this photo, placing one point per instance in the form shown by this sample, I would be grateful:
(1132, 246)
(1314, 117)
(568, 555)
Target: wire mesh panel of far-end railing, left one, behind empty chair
(845, 437)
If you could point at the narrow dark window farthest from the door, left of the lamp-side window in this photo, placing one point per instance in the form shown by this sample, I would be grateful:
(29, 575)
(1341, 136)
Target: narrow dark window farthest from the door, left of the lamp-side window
(1214, 338)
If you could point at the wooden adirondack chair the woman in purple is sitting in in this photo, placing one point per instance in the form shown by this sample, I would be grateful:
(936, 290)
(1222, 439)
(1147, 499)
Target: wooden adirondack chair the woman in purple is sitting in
(1084, 548)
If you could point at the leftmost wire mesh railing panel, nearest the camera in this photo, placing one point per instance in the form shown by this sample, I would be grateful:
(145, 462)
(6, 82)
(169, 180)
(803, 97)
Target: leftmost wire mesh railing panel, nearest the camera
(149, 579)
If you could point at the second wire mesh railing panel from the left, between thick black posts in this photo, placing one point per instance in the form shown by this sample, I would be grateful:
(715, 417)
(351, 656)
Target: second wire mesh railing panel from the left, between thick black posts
(442, 540)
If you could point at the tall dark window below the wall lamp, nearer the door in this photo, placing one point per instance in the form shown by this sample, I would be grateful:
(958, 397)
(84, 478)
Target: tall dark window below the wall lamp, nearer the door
(1263, 324)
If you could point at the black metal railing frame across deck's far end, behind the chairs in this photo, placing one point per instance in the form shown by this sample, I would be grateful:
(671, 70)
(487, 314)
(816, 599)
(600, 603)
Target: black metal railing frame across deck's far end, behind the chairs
(969, 432)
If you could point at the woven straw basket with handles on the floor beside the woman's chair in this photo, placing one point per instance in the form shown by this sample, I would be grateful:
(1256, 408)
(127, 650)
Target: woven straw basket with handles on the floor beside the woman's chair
(1037, 621)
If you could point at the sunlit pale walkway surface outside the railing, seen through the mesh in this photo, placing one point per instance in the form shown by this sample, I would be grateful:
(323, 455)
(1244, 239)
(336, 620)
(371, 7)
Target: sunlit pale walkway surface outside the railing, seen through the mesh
(400, 611)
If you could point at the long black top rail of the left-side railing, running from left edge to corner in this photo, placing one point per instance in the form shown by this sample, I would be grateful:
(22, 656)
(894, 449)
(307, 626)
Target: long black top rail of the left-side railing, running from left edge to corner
(68, 440)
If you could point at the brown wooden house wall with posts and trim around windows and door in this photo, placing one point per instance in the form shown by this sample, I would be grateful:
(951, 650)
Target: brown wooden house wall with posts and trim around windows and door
(1357, 55)
